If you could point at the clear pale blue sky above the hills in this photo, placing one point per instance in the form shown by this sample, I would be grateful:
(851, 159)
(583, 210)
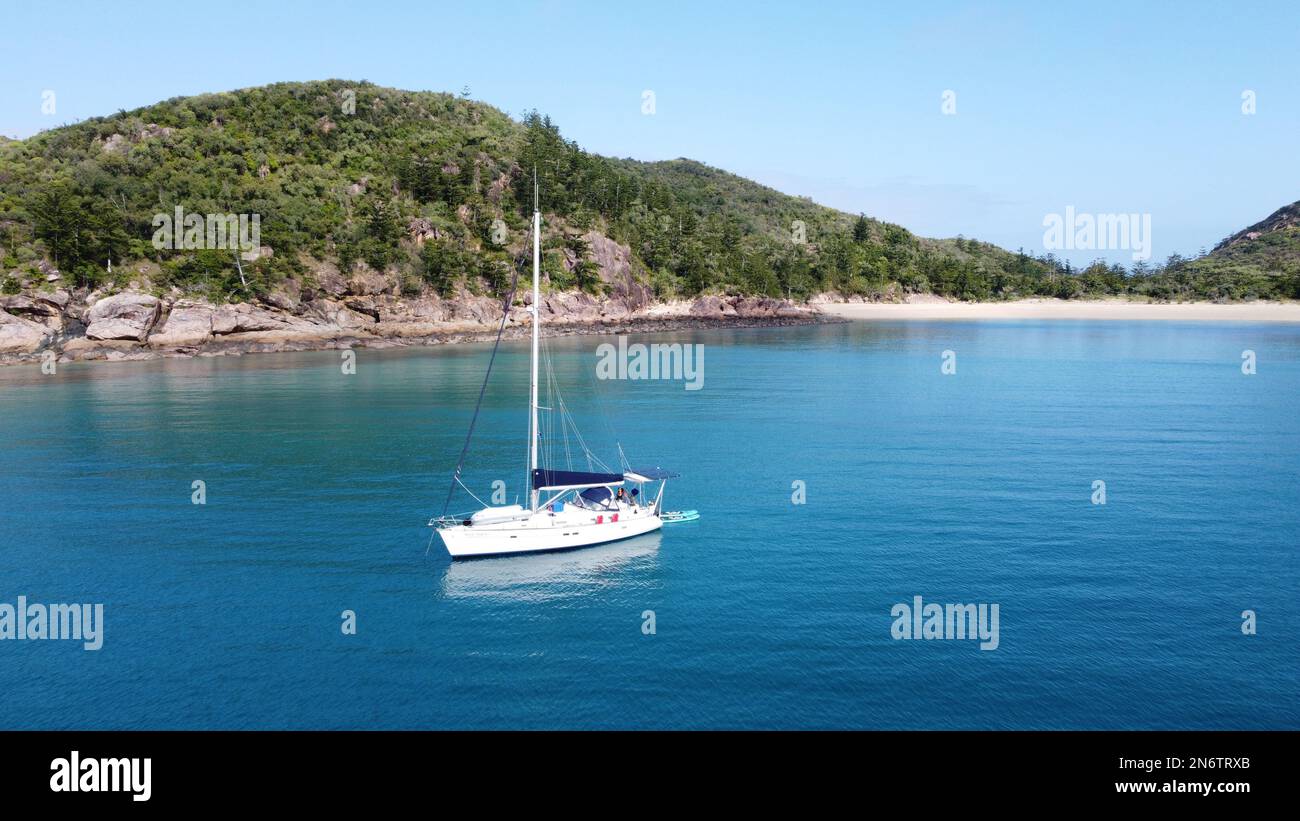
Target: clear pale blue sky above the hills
(1108, 107)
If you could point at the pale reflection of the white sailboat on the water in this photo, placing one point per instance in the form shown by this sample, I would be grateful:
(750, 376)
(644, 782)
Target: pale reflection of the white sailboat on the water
(543, 577)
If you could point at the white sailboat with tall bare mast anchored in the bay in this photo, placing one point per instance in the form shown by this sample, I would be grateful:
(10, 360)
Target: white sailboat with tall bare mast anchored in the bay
(566, 509)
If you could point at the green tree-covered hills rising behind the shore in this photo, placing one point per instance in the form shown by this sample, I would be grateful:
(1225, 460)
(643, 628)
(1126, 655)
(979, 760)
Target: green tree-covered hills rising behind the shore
(418, 185)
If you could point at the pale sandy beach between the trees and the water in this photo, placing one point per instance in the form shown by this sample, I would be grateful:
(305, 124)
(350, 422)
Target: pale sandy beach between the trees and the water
(1069, 310)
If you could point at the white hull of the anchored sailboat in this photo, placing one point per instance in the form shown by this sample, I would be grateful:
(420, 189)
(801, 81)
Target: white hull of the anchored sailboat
(544, 532)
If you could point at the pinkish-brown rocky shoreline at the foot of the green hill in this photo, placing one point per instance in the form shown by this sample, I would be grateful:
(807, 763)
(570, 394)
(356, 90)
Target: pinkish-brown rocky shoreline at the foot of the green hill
(133, 325)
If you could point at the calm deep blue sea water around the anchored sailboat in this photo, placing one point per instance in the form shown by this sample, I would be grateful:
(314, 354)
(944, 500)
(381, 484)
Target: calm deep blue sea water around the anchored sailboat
(973, 488)
